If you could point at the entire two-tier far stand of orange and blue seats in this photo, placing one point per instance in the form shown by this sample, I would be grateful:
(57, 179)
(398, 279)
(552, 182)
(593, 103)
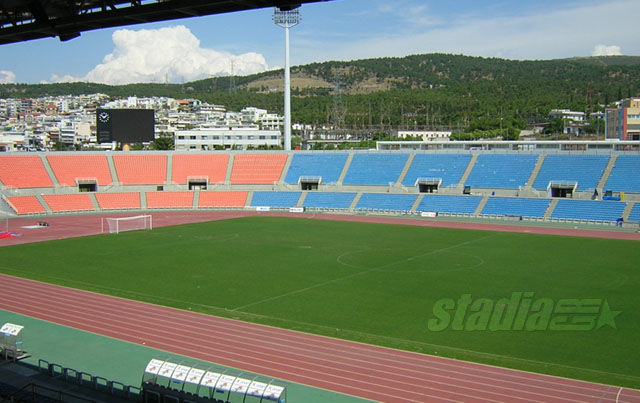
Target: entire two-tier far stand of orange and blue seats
(490, 171)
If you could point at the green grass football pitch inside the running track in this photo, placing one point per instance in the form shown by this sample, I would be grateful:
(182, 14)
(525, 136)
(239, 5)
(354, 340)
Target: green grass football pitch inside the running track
(575, 301)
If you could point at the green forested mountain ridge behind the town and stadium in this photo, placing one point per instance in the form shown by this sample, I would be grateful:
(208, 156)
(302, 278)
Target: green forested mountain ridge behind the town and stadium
(432, 89)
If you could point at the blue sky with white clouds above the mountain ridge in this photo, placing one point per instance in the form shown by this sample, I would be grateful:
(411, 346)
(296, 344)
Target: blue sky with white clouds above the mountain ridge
(249, 42)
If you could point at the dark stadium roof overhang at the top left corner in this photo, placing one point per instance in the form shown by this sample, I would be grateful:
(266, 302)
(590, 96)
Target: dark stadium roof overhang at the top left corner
(34, 19)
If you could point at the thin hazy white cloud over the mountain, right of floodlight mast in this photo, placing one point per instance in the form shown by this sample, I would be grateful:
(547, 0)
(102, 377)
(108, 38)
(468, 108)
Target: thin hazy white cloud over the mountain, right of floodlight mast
(546, 34)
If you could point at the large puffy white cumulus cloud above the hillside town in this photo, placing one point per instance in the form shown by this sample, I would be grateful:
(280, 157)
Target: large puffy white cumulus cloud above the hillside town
(171, 54)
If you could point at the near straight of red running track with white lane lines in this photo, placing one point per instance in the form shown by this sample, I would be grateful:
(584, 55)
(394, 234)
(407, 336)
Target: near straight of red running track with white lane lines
(362, 370)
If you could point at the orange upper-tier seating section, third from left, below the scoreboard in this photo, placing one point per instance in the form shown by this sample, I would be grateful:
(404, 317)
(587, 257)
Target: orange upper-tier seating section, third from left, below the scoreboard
(141, 169)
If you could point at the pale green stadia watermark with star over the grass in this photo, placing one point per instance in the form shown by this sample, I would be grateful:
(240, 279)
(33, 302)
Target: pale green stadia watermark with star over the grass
(521, 311)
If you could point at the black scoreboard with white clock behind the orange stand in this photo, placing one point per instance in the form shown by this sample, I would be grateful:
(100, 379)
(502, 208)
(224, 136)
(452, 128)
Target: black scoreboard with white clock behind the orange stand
(125, 125)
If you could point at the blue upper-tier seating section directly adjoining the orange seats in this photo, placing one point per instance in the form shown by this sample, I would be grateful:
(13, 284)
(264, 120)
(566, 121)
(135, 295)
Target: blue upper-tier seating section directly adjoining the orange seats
(327, 166)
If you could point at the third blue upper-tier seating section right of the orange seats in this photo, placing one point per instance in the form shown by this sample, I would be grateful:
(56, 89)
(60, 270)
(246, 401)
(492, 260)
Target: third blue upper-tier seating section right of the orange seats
(448, 167)
